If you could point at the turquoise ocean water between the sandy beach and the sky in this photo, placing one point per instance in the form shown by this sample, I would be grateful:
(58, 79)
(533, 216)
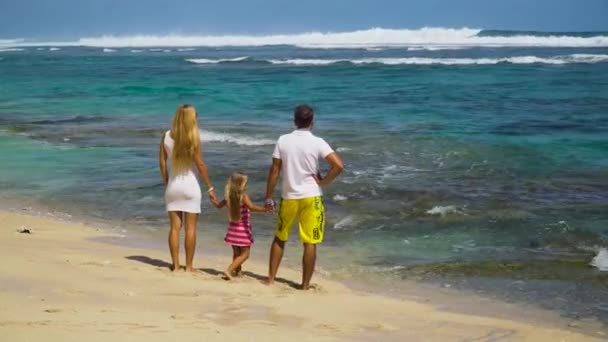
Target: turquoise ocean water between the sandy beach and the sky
(482, 162)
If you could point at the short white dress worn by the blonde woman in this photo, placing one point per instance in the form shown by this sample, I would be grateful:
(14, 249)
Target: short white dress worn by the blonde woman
(183, 192)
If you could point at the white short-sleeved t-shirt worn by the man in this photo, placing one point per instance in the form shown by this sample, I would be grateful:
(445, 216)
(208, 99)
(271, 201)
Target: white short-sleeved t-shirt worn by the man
(299, 152)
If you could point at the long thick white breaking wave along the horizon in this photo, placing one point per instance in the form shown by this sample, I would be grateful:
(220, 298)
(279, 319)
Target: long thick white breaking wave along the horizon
(375, 37)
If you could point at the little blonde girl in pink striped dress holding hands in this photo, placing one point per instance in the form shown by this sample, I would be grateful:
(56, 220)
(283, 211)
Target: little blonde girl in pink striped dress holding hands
(239, 234)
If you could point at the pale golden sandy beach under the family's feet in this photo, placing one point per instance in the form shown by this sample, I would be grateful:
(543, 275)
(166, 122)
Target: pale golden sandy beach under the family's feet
(60, 284)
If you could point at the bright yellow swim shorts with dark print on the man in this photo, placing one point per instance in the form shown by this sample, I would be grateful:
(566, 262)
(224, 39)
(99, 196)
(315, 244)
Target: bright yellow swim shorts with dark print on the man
(310, 214)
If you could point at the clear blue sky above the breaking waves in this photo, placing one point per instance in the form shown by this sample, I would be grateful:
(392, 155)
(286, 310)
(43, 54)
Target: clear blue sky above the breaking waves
(67, 19)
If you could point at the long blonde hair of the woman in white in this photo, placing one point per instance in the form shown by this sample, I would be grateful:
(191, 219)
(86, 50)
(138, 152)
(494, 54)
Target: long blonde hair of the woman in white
(184, 132)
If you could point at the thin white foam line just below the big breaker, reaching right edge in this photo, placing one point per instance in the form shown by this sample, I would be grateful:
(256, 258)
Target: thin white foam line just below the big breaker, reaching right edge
(565, 59)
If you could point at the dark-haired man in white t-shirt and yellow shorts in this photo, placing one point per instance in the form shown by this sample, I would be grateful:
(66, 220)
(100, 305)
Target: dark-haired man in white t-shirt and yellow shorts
(296, 156)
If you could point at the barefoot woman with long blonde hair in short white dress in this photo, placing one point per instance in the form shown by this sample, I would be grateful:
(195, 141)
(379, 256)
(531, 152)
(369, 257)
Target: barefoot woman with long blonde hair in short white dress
(180, 148)
